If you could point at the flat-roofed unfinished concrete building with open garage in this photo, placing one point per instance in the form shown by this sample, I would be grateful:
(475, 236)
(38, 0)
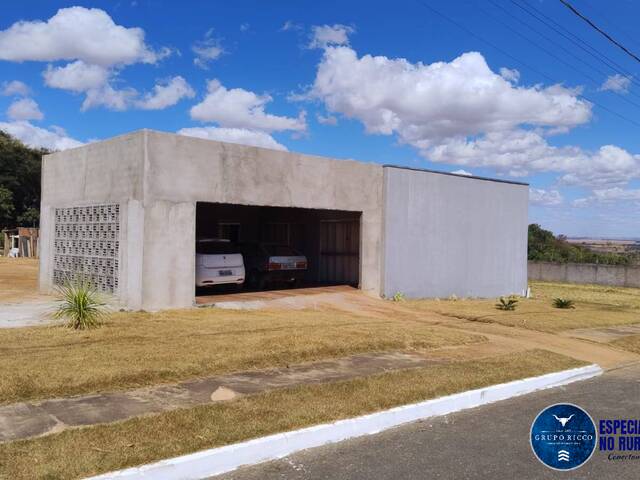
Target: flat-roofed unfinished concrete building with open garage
(127, 212)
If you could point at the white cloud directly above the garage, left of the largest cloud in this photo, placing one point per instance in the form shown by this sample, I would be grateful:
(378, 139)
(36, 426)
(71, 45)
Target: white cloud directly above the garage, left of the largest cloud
(239, 108)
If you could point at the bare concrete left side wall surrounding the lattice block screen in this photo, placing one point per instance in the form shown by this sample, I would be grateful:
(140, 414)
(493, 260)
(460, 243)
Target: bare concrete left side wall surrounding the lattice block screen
(104, 172)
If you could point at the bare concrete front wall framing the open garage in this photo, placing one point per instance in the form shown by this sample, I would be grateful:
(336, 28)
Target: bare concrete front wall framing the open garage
(181, 171)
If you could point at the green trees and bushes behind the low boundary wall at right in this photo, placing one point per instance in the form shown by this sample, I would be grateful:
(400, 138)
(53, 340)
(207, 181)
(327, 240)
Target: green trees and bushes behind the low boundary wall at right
(545, 246)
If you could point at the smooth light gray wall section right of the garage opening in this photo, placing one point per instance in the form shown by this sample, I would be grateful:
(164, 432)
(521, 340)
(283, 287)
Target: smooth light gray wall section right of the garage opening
(453, 235)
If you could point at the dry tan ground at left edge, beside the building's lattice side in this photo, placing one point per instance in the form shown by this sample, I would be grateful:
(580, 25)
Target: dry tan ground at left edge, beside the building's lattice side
(18, 279)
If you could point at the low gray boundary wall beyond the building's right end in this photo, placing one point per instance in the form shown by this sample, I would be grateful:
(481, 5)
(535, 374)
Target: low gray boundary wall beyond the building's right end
(587, 273)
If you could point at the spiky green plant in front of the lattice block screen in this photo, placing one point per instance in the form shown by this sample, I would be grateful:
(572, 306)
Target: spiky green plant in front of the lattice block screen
(80, 305)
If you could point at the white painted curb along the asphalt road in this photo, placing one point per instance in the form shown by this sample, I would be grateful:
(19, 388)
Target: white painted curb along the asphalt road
(225, 459)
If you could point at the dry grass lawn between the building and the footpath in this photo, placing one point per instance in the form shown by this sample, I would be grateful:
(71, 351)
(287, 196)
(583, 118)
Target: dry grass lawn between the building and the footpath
(140, 349)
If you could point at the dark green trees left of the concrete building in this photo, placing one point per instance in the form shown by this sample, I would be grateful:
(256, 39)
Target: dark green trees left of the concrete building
(20, 167)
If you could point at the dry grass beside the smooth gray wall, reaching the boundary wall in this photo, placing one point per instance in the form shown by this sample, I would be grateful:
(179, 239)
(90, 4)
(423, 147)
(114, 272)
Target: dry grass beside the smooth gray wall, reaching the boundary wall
(595, 306)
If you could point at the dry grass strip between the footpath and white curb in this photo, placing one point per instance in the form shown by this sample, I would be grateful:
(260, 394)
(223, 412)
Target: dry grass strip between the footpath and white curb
(89, 451)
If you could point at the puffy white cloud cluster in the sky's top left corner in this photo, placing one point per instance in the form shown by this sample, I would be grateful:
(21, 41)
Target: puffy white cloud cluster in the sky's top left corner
(94, 47)
